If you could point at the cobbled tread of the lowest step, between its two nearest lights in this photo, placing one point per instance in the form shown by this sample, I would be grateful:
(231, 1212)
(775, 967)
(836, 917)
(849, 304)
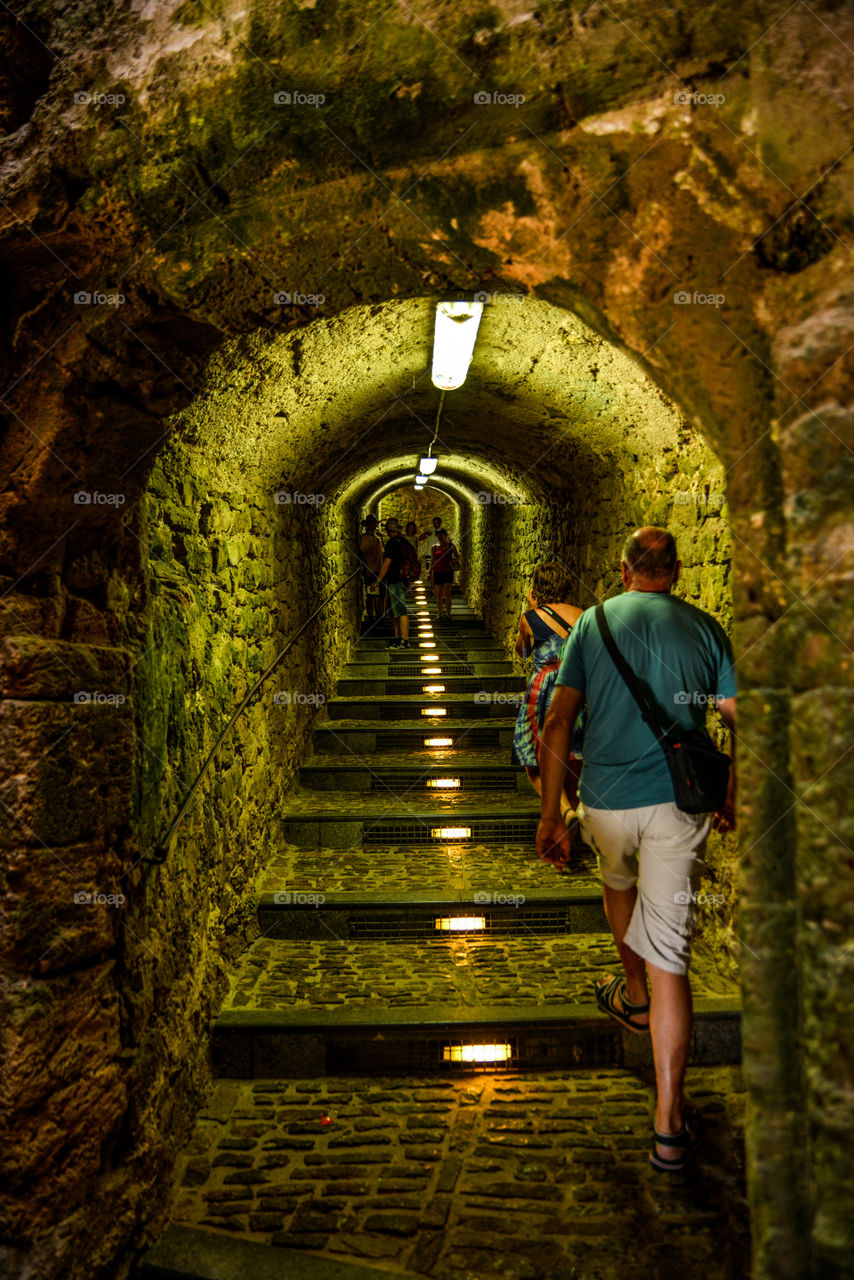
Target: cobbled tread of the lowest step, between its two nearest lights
(527, 972)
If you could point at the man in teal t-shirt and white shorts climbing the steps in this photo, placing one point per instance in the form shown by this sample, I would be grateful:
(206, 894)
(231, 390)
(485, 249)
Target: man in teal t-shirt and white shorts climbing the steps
(650, 851)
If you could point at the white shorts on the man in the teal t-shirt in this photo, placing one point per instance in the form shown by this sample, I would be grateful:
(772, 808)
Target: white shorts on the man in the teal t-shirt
(660, 849)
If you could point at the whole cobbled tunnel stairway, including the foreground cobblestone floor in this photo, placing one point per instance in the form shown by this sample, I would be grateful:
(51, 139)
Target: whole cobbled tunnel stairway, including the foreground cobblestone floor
(353, 1131)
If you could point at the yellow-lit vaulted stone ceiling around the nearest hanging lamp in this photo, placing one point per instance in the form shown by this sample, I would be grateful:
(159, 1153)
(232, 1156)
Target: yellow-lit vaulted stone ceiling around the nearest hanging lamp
(351, 399)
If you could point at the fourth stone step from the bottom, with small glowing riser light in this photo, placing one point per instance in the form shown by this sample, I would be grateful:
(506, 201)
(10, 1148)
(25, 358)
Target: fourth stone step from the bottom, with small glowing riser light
(419, 780)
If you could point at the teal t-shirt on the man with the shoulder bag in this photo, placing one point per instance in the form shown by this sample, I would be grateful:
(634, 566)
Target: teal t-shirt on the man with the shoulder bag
(684, 657)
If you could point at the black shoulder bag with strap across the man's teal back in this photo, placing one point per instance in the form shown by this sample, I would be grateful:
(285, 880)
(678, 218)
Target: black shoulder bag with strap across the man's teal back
(700, 772)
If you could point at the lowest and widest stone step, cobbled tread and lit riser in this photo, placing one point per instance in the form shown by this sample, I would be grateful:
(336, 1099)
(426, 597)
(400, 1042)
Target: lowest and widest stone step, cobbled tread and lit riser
(309, 1008)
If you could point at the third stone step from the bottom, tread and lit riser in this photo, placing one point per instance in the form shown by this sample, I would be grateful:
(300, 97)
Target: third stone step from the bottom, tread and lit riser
(334, 821)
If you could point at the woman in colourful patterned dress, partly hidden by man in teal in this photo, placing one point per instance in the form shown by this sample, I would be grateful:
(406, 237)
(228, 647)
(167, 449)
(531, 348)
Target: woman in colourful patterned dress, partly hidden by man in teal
(544, 629)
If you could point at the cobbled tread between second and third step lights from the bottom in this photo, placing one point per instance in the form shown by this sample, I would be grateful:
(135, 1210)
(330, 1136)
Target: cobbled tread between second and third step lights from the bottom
(441, 868)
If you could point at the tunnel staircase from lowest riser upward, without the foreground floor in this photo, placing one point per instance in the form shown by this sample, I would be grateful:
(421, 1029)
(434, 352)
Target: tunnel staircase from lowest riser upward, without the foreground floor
(409, 926)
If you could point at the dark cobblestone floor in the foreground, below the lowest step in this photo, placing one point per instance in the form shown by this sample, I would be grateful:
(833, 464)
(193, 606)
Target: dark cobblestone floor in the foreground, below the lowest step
(526, 1178)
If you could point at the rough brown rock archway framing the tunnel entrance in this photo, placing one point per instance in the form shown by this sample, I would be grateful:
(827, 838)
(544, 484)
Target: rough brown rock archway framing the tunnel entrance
(609, 198)
